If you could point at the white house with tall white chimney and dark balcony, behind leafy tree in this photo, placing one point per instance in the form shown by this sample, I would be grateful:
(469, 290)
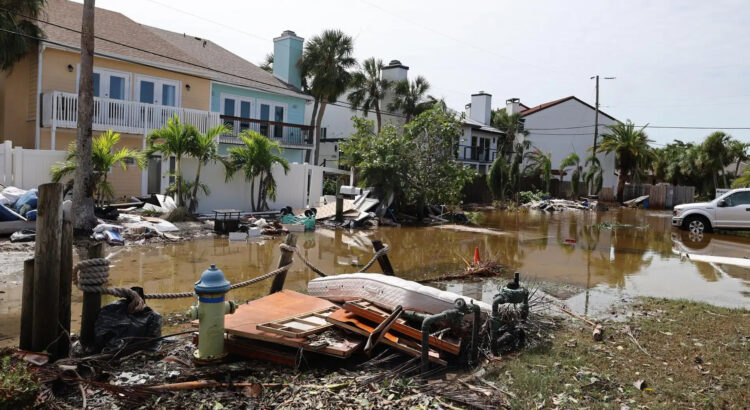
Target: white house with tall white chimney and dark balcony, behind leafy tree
(478, 145)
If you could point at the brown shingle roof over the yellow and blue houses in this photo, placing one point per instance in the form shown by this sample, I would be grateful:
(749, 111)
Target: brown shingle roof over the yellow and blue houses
(154, 46)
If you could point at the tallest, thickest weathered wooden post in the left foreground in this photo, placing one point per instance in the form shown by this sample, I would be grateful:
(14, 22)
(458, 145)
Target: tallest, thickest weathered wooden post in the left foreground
(47, 267)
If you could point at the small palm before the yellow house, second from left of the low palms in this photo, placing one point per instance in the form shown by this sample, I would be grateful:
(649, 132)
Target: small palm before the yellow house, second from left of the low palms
(174, 139)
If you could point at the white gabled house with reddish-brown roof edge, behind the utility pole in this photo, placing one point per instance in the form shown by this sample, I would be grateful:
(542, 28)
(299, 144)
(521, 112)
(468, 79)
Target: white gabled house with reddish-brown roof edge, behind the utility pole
(564, 126)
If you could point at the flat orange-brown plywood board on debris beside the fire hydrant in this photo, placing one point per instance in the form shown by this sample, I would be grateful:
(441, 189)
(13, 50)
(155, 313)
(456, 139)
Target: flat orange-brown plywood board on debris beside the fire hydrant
(280, 305)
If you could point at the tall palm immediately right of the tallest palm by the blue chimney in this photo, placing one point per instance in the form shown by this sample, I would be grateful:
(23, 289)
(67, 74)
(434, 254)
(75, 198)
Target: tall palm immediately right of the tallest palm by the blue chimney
(369, 88)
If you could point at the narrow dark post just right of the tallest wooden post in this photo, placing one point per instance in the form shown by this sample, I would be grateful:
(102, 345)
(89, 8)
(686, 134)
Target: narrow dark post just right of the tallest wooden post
(66, 288)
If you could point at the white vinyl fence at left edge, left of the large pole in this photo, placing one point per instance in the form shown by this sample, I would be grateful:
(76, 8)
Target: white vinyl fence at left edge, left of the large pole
(26, 168)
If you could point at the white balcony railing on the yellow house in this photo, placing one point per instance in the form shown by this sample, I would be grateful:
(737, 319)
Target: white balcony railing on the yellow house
(60, 110)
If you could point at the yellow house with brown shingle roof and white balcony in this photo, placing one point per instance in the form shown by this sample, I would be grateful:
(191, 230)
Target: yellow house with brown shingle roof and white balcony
(142, 76)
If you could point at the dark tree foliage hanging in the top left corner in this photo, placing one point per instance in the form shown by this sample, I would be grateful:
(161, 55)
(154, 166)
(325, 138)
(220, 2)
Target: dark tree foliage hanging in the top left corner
(18, 19)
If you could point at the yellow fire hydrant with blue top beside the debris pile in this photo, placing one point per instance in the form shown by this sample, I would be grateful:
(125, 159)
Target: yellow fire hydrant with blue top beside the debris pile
(211, 290)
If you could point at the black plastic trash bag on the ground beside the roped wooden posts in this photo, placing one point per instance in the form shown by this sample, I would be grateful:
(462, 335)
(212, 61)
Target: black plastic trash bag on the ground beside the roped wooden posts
(115, 328)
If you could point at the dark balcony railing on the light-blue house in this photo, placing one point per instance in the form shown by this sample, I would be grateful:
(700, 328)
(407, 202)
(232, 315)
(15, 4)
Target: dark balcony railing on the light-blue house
(286, 134)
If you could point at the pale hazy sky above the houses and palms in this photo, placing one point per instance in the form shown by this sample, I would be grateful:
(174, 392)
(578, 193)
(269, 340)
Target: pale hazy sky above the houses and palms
(677, 63)
